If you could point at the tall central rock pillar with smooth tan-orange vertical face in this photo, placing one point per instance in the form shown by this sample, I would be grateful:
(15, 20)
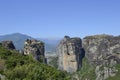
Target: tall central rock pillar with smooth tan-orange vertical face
(70, 54)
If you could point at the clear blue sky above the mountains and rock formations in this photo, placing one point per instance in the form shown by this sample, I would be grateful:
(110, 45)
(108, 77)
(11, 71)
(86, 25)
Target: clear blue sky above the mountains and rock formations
(56, 18)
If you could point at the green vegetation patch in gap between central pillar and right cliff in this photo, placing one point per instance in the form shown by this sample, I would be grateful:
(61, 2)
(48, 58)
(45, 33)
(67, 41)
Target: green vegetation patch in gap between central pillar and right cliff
(87, 72)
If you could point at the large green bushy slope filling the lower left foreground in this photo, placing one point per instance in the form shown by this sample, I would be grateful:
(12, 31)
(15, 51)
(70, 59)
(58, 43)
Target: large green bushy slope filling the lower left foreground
(15, 66)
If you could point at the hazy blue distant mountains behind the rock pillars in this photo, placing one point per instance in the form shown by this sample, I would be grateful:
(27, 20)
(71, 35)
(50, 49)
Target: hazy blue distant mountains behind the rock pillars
(19, 39)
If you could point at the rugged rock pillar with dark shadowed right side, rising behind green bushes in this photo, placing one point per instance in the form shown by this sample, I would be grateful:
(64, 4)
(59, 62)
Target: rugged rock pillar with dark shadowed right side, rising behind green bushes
(34, 47)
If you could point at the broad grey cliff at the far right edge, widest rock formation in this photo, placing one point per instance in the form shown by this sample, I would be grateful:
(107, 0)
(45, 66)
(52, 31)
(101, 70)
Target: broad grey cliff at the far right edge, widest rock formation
(103, 51)
